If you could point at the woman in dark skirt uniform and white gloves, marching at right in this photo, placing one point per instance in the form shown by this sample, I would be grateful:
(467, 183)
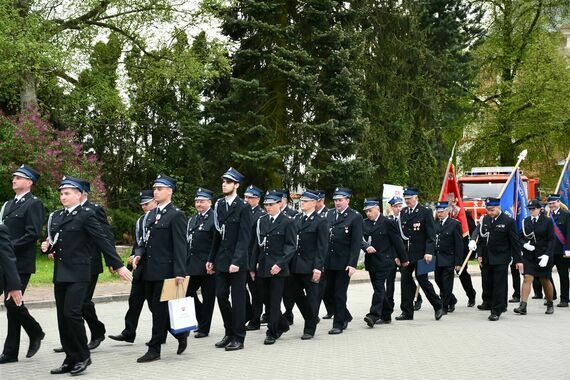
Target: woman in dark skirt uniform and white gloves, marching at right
(537, 239)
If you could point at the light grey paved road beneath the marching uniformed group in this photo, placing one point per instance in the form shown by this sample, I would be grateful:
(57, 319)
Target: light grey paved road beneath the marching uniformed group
(463, 345)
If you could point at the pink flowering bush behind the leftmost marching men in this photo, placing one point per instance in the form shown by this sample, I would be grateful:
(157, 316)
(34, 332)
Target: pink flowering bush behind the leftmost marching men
(30, 139)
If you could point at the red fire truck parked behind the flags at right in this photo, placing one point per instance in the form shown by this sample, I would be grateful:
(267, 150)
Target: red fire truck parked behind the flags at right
(484, 182)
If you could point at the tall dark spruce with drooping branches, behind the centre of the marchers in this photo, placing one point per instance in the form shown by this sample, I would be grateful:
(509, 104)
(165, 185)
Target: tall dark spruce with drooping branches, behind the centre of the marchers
(290, 114)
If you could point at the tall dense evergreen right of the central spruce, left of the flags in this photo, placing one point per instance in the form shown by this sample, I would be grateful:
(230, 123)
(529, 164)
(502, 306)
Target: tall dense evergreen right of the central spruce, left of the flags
(416, 65)
